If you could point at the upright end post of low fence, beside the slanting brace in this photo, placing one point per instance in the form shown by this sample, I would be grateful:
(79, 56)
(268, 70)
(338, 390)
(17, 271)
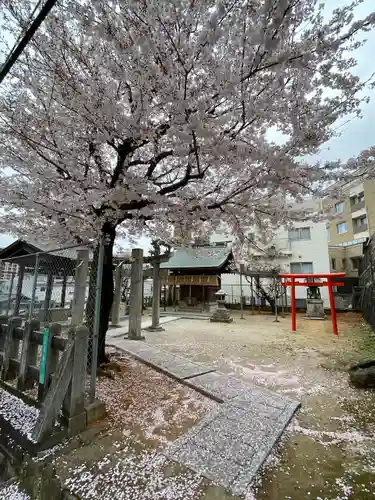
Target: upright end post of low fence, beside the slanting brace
(74, 403)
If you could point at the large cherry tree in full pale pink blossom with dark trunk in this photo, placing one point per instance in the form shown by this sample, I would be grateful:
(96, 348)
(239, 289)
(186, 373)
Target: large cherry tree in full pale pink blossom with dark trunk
(124, 116)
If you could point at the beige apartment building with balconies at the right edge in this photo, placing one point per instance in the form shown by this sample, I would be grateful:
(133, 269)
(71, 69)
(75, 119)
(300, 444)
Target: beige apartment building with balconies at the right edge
(352, 221)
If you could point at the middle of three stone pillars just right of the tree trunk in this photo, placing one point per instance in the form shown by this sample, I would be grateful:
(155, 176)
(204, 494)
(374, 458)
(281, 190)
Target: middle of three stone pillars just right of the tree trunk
(136, 292)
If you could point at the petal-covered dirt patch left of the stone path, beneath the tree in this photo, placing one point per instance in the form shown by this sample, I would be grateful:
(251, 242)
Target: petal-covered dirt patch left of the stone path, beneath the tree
(121, 459)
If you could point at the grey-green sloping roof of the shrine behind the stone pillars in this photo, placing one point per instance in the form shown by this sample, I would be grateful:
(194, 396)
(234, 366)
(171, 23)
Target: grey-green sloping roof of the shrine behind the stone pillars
(198, 257)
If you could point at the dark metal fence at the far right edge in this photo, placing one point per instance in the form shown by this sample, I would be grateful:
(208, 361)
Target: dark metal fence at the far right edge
(367, 283)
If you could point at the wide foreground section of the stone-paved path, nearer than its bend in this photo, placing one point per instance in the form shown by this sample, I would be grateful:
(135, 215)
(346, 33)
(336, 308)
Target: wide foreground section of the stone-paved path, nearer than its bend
(231, 444)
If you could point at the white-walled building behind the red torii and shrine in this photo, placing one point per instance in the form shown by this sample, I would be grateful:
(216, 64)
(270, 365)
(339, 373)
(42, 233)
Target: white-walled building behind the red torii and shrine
(304, 249)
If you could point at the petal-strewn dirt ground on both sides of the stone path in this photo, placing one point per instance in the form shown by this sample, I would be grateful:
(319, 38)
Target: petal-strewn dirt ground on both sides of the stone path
(327, 452)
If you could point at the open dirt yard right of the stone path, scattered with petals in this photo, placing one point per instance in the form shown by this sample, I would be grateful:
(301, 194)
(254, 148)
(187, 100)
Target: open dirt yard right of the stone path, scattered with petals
(328, 451)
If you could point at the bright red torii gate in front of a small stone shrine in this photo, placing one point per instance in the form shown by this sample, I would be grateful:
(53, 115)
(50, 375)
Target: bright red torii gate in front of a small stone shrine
(306, 277)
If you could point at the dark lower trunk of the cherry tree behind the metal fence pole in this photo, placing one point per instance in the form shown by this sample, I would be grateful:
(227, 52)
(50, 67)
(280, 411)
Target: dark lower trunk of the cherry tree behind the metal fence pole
(106, 293)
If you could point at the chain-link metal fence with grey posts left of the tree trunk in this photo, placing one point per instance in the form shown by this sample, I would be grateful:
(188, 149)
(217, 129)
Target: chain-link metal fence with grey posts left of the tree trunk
(56, 286)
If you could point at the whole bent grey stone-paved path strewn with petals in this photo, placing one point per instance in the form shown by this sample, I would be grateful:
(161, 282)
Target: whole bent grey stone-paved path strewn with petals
(230, 445)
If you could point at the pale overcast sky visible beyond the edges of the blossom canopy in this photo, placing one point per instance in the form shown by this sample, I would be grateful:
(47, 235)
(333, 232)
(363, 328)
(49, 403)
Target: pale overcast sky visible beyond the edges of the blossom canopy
(356, 135)
